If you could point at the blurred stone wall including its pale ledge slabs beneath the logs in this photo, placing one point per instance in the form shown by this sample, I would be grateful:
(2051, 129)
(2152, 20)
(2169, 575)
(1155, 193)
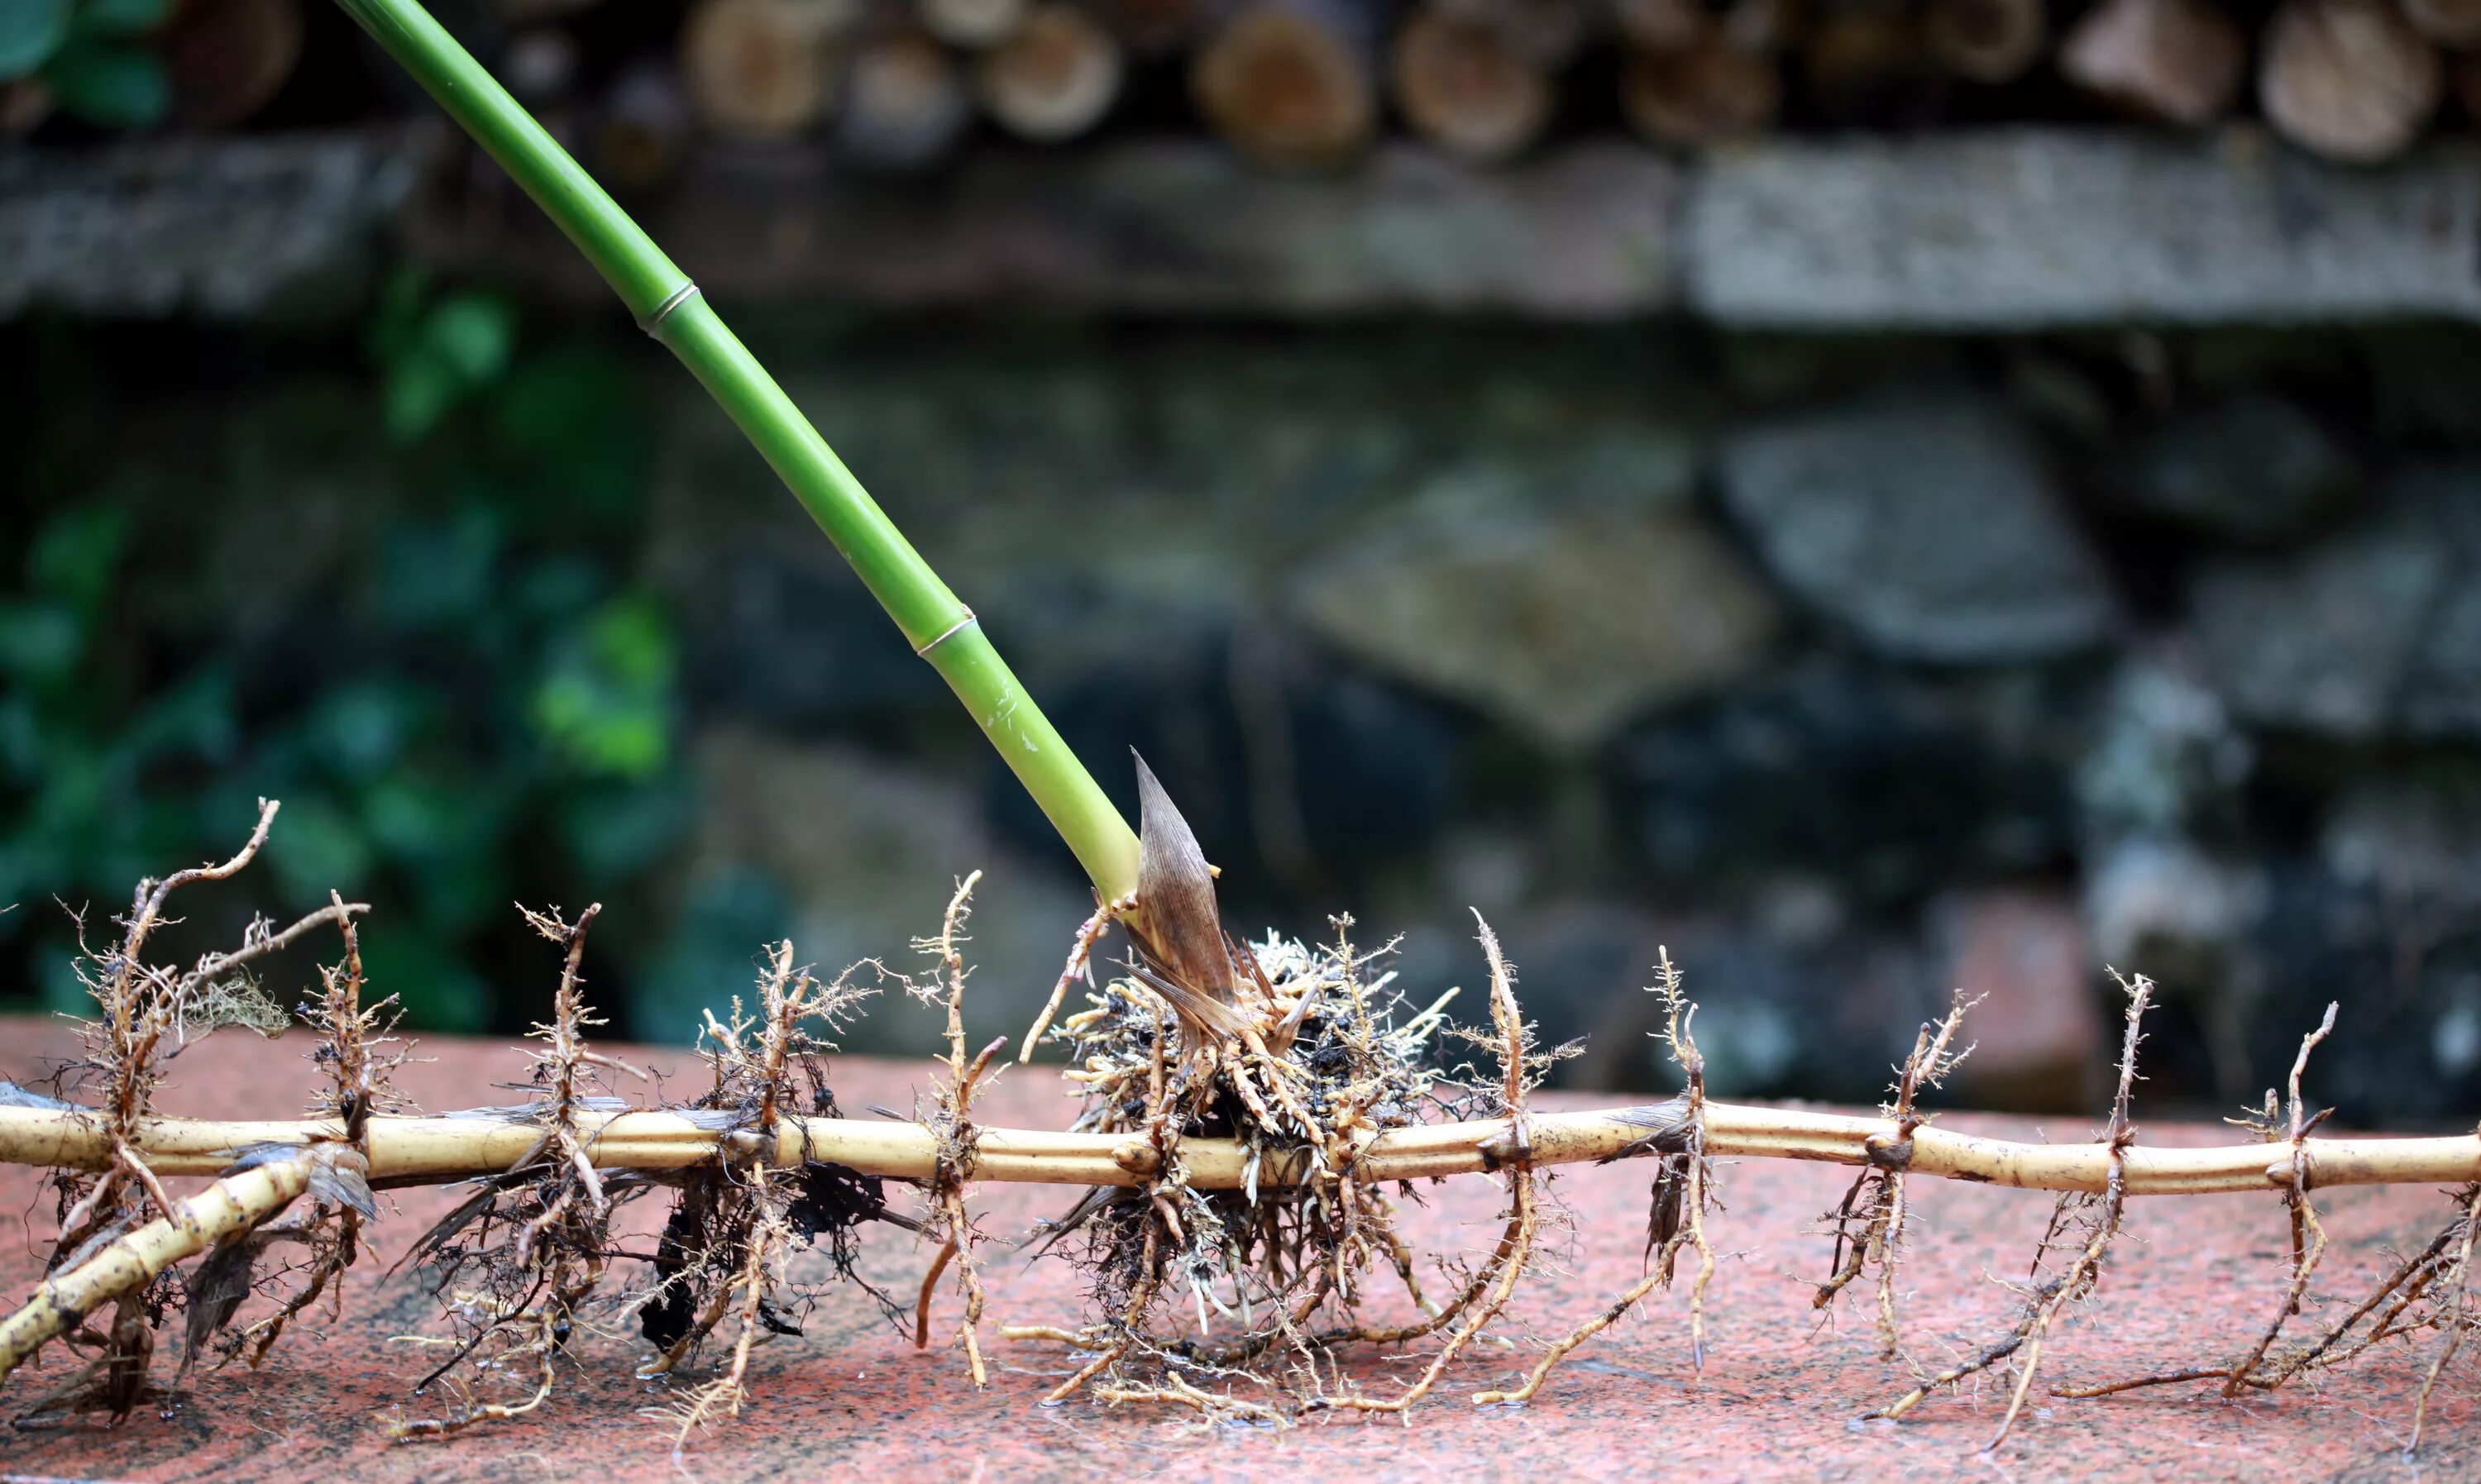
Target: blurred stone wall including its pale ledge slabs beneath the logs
(1718, 602)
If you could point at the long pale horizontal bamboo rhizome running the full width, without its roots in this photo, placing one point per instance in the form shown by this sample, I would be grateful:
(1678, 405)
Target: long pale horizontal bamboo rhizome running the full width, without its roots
(430, 1150)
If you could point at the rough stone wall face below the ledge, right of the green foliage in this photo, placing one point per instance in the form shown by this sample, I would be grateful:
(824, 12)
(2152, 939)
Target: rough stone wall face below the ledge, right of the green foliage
(1852, 671)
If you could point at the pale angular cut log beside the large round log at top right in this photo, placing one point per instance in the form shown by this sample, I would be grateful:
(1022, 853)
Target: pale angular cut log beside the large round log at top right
(2170, 61)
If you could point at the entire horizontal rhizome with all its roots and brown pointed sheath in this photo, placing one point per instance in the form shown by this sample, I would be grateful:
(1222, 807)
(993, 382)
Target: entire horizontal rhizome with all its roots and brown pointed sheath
(1264, 1108)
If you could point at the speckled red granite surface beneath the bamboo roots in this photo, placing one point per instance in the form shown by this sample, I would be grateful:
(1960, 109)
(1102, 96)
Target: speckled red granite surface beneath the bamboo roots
(1780, 1396)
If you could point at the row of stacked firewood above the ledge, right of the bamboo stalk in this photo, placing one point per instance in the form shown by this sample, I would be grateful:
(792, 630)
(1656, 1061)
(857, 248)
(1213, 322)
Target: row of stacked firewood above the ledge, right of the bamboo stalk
(1311, 83)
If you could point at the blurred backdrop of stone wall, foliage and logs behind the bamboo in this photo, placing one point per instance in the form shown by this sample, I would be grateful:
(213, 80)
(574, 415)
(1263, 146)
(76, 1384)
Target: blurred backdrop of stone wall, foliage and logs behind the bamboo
(1872, 495)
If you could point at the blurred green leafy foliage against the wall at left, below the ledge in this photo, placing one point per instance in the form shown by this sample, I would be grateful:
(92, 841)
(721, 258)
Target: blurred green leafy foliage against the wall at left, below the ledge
(463, 706)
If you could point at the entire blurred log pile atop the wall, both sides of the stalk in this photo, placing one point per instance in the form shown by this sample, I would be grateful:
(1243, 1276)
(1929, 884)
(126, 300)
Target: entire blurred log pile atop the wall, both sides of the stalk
(1314, 83)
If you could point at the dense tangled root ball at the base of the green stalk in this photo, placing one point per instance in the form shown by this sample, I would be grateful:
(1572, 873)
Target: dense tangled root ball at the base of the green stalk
(1279, 1272)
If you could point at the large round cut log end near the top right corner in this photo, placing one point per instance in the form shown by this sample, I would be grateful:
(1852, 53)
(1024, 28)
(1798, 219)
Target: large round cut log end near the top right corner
(2348, 78)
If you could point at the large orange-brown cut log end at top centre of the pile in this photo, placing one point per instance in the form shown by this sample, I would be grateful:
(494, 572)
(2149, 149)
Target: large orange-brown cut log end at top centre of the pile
(1286, 88)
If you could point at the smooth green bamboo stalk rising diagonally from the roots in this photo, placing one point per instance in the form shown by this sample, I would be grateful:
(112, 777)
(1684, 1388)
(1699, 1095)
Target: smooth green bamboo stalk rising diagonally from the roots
(671, 309)
